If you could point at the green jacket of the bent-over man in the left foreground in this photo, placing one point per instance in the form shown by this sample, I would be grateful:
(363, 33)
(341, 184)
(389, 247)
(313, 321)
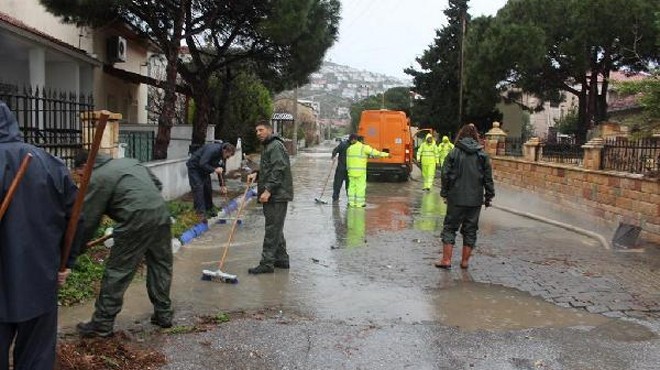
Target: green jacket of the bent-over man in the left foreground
(127, 192)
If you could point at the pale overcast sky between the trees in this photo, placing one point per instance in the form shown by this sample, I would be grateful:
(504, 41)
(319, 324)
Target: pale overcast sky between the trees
(386, 36)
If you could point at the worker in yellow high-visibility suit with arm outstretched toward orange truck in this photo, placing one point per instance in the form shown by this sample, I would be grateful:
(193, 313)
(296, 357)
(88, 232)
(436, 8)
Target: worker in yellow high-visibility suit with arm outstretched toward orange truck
(356, 164)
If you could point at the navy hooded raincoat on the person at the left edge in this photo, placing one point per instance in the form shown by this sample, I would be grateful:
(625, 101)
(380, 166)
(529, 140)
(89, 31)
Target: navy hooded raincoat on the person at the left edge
(32, 230)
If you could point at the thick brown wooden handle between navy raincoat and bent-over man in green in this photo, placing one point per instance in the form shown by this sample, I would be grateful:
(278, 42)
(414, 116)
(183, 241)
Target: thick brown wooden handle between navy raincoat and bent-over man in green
(80, 197)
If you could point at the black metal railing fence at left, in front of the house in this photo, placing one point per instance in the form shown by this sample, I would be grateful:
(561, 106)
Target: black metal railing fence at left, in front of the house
(50, 119)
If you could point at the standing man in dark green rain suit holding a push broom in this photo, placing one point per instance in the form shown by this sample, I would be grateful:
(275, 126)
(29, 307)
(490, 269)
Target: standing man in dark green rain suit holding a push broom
(275, 191)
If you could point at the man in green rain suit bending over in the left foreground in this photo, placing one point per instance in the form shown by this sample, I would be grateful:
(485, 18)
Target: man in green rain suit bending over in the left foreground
(128, 193)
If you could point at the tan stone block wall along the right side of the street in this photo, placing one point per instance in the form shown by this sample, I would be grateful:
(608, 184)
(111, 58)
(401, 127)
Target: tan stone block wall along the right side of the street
(611, 196)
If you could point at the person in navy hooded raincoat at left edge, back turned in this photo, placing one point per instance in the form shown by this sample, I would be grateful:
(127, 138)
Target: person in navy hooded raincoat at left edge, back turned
(31, 235)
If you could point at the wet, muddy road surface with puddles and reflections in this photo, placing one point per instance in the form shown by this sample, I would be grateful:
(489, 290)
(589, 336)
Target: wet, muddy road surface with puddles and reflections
(362, 294)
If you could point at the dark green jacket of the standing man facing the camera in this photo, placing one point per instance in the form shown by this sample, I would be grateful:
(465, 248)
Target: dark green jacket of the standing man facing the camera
(275, 171)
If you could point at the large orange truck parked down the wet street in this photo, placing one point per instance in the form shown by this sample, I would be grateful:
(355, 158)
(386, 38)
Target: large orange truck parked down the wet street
(388, 131)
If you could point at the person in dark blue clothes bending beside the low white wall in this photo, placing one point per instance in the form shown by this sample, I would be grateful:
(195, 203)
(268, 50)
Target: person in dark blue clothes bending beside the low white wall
(211, 158)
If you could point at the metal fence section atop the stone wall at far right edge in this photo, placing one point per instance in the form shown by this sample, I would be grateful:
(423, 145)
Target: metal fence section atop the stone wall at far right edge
(634, 156)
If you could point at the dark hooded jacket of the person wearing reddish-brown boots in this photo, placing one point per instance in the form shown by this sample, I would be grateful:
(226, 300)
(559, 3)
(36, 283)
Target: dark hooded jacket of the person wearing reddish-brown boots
(467, 176)
